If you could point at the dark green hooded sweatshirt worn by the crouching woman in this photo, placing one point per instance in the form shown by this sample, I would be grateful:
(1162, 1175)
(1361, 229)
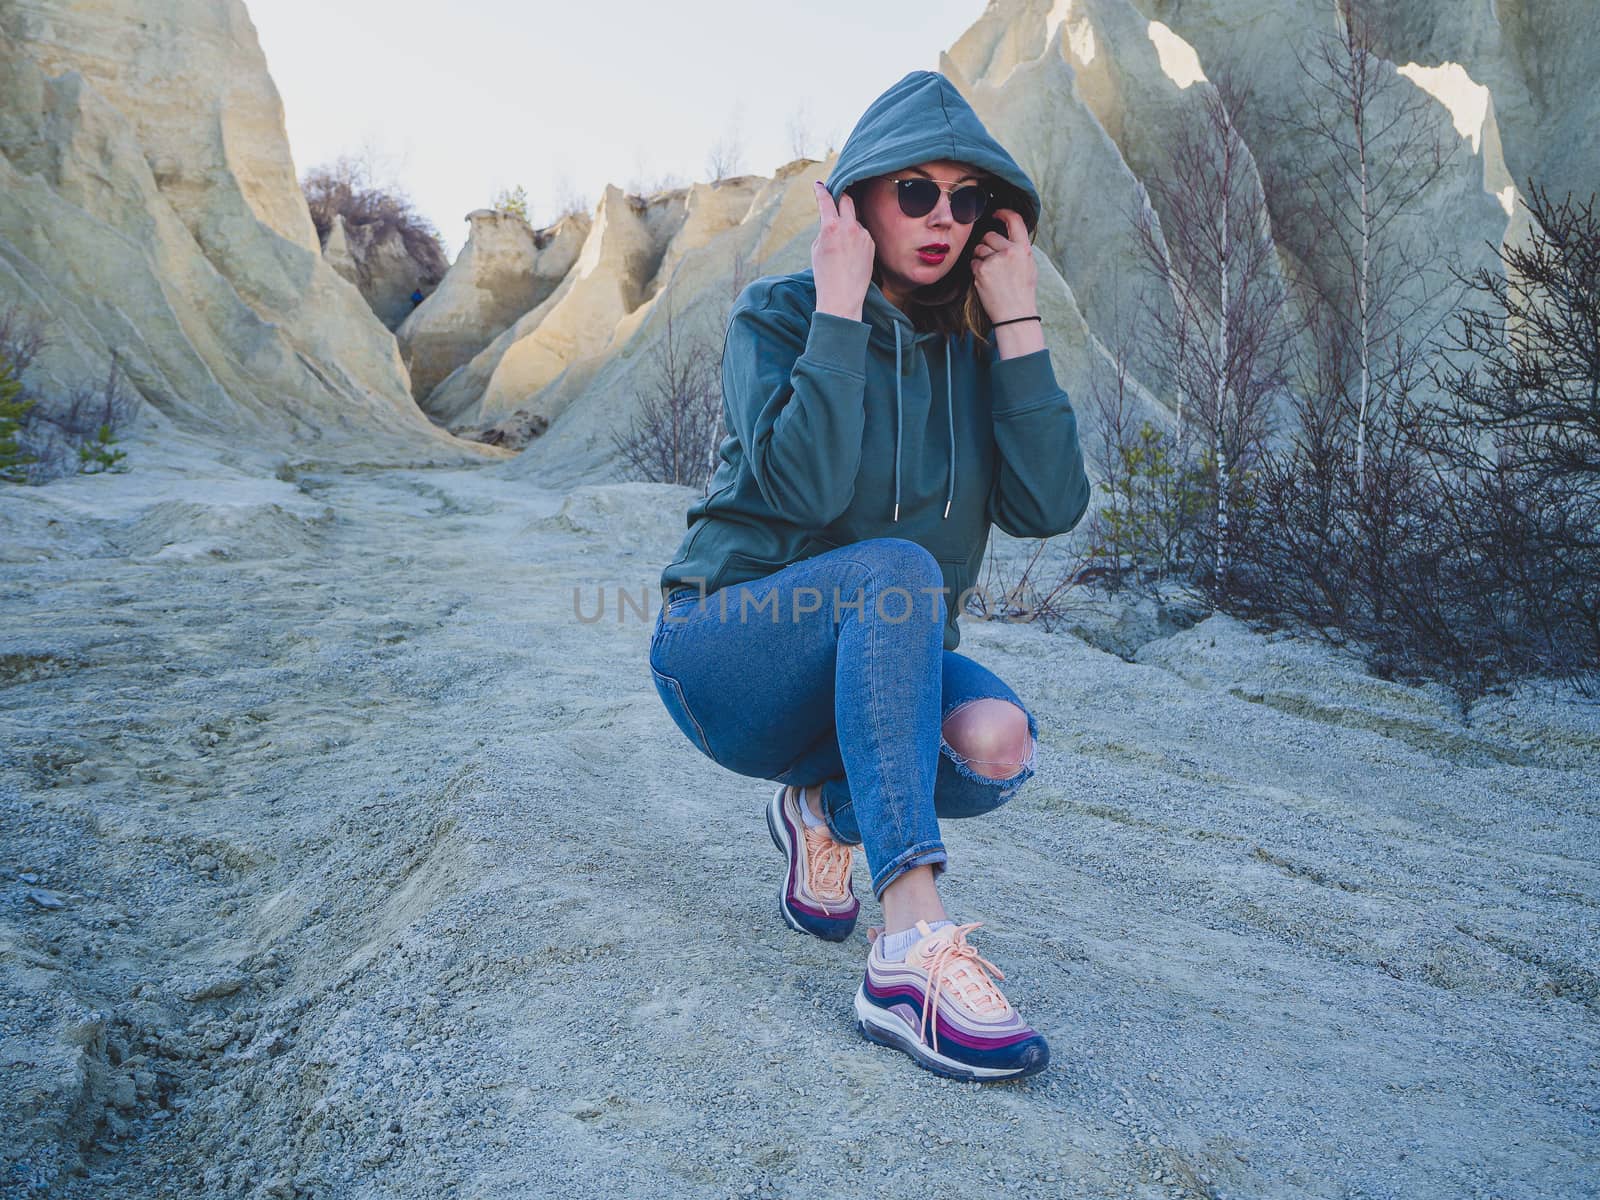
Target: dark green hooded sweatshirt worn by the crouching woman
(844, 430)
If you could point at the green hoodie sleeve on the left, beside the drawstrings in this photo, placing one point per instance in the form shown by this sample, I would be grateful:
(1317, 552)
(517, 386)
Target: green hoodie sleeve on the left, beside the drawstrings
(794, 385)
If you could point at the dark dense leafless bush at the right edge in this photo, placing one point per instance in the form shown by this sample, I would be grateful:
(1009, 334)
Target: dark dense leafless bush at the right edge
(1518, 444)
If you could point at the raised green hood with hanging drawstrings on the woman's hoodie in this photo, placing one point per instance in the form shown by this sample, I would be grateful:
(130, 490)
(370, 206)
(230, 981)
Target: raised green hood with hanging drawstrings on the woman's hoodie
(918, 121)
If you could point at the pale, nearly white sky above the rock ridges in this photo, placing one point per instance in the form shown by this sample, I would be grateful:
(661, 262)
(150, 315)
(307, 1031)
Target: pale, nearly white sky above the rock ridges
(562, 98)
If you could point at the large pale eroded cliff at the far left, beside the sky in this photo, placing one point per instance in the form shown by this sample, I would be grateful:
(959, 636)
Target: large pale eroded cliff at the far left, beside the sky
(150, 206)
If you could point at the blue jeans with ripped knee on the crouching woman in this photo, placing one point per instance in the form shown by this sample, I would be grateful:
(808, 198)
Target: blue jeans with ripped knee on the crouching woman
(833, 671)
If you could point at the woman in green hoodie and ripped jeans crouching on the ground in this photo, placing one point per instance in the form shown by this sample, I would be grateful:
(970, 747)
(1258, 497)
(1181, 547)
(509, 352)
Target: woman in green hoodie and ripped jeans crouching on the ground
(884, 409)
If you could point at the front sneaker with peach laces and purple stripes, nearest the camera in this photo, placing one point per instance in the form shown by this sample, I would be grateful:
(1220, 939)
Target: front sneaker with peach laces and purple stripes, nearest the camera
(943, 1009)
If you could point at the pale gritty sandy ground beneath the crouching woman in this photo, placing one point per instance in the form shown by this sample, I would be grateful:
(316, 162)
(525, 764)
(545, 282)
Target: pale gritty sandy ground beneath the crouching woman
(340, 858)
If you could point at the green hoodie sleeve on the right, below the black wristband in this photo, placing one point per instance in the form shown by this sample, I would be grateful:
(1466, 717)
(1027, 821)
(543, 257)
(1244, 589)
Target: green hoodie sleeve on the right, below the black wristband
(1041, 486)
